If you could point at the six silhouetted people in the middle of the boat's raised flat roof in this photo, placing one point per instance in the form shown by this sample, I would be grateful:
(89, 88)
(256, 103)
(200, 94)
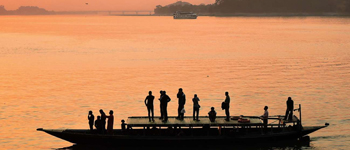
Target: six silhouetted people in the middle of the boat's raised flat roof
(164, 99)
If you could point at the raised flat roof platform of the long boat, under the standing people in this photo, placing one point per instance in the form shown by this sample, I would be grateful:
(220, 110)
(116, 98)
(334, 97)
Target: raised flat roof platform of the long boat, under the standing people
(188, 121)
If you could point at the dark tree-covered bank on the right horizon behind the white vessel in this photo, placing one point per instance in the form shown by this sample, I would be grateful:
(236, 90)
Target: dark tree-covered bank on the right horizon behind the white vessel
(260, 6)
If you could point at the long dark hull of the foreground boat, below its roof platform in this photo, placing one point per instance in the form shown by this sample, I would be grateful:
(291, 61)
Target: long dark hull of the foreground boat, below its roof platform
(86, 138)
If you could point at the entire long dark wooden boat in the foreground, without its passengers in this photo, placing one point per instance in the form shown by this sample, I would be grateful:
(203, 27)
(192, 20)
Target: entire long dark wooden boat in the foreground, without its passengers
(139, 131)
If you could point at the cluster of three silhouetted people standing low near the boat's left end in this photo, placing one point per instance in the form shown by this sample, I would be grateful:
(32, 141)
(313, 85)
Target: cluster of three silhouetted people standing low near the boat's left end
(100, 122)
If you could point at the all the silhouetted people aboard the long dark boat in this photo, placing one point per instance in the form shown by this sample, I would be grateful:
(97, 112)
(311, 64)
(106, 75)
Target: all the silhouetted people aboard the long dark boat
(100, 123)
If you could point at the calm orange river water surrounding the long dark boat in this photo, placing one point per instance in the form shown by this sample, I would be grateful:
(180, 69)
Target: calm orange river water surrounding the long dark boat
(54, 69)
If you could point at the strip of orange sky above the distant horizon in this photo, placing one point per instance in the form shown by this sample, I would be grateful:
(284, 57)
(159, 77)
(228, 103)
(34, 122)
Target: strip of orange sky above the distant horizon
(79, 5)
